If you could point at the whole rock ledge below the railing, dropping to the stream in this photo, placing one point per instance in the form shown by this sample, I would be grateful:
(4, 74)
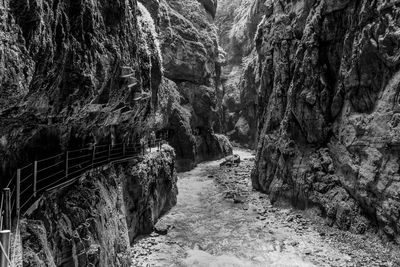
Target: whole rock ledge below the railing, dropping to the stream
(92, 223)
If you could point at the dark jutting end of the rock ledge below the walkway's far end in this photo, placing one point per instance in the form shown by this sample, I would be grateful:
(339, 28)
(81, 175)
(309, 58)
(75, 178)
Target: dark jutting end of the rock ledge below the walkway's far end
(149, 190)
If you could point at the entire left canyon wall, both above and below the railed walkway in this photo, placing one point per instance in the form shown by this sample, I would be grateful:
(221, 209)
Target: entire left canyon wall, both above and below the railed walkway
(74, 73)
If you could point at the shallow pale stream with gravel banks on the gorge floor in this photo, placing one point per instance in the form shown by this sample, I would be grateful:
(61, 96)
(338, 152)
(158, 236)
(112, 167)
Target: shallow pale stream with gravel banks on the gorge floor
(220, 221)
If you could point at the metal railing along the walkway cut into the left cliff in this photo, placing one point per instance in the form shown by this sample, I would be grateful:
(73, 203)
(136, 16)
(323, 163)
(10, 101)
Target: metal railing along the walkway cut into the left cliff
(58, 171)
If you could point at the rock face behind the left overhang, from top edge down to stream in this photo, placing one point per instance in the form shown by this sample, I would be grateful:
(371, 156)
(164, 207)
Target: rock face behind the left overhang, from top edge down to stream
(189, 92)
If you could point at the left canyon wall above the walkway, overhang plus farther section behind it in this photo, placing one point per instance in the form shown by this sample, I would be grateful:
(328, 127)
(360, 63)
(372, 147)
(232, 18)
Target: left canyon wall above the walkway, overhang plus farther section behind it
(77, 72)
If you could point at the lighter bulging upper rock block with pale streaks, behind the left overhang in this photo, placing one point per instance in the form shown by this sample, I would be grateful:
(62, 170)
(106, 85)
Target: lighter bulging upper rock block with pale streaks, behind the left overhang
(188, 40)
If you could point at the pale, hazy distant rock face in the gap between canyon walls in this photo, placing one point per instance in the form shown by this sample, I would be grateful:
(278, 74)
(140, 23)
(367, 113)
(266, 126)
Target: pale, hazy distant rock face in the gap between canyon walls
(237, 22)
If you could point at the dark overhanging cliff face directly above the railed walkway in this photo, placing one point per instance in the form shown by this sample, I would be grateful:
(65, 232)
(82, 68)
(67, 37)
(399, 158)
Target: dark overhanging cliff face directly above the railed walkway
(70, 72)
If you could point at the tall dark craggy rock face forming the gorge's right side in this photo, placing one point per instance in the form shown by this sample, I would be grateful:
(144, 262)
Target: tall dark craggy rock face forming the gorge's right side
(328, 112)
